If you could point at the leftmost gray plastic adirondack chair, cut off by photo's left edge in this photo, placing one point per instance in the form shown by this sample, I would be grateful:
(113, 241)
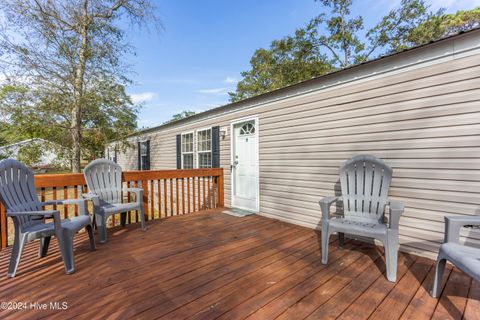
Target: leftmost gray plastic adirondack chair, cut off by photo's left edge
(17, 193)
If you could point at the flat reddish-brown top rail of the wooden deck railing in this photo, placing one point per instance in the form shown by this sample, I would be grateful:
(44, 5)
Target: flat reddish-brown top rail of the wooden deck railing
(72, 179)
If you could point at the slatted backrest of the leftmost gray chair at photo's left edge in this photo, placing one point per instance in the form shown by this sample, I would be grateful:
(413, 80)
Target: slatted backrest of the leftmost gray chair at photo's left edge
(17, 189)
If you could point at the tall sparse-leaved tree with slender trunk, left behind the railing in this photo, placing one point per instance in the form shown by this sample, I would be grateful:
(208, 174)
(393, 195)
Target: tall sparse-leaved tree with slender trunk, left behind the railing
(69, 54)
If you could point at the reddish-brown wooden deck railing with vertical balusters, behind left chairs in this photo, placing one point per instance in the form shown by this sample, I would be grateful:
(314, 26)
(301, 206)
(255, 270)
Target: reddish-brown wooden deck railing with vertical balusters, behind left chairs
(166, 193)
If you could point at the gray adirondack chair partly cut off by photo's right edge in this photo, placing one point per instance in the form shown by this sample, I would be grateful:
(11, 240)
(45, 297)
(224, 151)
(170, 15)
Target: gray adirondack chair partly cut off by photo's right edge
(464, 257)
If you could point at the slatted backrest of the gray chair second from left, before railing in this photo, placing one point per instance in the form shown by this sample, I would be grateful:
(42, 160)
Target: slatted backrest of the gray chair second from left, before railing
(104, 178)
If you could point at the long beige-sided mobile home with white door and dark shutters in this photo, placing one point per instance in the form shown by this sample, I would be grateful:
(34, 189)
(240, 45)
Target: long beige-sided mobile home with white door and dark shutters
(419, 110)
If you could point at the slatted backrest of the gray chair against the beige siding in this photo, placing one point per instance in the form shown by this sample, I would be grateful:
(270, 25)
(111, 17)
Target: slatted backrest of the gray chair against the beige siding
(365, 181)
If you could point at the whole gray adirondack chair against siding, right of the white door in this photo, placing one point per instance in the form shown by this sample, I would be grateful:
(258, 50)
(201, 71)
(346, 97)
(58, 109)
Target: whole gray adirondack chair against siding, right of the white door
(365, 181)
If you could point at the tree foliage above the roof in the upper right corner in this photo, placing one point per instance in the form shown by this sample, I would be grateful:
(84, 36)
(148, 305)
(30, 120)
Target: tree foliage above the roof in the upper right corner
(439, 26)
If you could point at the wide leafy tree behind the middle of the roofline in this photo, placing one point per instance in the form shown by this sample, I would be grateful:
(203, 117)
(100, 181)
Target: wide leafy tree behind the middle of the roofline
(328, 42)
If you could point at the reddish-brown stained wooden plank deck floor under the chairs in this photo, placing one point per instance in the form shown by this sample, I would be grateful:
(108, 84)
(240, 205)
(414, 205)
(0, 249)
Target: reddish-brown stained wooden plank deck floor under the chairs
(212, 265)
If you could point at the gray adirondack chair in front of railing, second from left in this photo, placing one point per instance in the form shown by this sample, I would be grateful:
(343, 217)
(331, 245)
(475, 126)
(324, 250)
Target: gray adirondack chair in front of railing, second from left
(104, 181)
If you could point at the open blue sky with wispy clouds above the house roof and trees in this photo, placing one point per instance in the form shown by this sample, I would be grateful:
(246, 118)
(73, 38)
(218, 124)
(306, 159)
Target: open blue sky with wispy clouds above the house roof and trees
(197, 58)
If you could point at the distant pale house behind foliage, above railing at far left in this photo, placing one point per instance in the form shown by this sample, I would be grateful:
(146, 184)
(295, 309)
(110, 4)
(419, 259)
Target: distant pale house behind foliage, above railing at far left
(41, 153)
